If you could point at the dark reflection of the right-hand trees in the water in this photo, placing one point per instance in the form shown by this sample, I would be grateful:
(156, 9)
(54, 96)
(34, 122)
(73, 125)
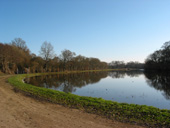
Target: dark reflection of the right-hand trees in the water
(160, 81)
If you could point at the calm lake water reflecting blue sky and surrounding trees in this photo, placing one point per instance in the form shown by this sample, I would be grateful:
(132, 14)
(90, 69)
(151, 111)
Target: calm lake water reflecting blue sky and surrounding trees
(126, 87)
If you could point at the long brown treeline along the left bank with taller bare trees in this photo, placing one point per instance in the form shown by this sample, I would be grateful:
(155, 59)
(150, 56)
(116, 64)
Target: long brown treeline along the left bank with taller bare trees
(15, 57)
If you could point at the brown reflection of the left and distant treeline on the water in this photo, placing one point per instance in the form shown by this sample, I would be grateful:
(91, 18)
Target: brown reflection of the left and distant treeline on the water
(69, 82)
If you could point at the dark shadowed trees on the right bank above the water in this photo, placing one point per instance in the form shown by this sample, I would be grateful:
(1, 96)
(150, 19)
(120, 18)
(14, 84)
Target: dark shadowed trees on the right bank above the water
(160, 59)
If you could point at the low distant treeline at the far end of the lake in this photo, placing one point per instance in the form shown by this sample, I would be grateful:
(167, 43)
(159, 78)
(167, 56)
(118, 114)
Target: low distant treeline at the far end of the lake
(128, 65)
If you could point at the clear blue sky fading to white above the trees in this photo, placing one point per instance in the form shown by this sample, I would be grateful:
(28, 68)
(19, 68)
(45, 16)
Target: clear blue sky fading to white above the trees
(107, 29)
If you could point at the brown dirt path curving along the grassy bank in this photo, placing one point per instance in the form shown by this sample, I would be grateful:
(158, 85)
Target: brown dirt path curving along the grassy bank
(19, 111)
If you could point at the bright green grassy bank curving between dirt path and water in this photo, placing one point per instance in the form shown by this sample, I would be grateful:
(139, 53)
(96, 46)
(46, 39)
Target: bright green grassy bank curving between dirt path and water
(141, 114)
